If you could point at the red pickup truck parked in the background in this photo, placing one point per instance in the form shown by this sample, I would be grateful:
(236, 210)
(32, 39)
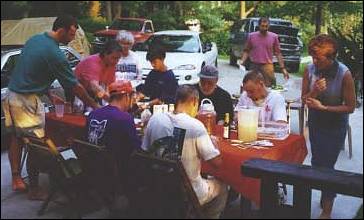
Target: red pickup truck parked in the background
(141, 29)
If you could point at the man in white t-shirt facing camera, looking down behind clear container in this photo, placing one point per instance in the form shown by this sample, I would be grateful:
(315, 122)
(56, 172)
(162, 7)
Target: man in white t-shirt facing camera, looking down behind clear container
(256, 94)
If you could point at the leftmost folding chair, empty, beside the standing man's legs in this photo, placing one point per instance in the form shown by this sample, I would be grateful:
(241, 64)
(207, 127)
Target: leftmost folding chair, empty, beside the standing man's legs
(63, 174)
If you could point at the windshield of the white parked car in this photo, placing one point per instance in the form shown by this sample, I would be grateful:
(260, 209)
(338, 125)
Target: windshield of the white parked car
(172, 43)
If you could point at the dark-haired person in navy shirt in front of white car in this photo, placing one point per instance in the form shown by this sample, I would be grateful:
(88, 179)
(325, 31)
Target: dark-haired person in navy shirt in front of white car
(160, 84)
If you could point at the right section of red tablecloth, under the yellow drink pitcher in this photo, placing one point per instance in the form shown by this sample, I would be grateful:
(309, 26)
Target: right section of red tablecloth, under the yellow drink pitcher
(291, 150)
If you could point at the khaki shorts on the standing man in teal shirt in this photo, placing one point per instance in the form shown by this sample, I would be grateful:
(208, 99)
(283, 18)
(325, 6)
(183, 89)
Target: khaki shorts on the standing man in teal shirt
(24, 114)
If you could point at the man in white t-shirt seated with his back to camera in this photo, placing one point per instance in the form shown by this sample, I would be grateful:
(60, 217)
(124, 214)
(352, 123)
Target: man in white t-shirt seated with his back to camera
(197, 146)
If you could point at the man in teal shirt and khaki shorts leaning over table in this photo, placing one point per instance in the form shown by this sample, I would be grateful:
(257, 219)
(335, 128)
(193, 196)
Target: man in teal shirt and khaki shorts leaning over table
(40, 63)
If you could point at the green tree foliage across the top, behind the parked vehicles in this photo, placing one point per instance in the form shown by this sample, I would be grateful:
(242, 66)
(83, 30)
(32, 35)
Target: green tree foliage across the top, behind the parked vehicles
(215, 20)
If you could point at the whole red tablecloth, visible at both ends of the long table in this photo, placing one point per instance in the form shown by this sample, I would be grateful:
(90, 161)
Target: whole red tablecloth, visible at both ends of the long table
(292, 150)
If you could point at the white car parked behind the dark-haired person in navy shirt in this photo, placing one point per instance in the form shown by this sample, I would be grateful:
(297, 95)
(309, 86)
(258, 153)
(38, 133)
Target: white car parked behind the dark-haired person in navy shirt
(186, 54)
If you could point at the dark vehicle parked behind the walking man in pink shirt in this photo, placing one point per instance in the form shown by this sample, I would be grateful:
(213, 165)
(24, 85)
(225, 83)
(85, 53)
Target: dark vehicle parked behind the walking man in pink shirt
(290, 43)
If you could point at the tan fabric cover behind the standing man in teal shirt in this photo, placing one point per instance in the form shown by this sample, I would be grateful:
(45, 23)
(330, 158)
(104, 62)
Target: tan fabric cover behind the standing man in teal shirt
(17, 32)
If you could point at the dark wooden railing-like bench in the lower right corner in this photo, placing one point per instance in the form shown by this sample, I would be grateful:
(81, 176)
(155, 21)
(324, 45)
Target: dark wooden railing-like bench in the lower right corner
(303, 178)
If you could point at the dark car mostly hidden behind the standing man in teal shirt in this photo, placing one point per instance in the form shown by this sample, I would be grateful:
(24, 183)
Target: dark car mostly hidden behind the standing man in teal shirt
(8, 61)
